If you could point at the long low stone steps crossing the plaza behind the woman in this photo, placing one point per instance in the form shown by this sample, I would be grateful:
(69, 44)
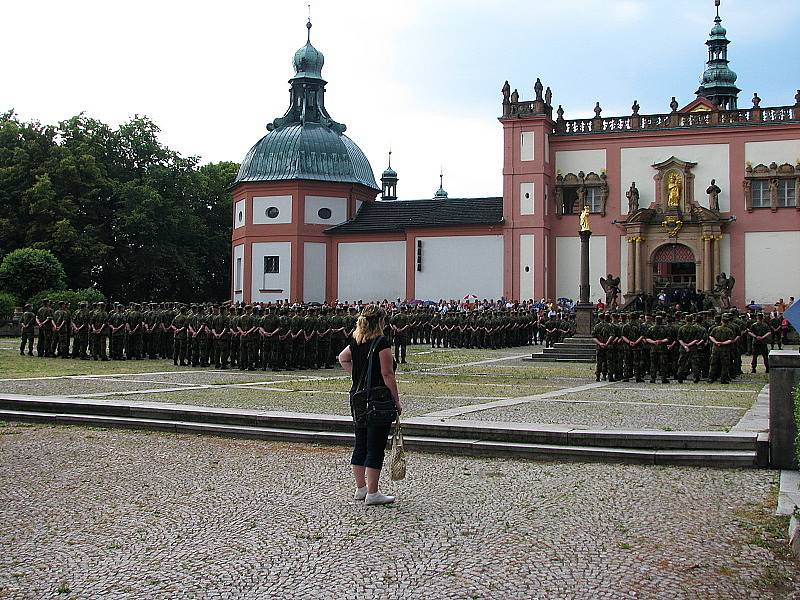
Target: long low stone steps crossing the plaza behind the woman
(470, 438)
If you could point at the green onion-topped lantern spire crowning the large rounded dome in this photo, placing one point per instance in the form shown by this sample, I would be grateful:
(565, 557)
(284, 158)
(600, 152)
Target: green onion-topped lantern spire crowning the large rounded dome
(307, 95)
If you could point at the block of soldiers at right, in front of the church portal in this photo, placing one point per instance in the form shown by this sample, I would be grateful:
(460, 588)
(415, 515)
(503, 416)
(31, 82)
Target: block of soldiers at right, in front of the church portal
(701, 346)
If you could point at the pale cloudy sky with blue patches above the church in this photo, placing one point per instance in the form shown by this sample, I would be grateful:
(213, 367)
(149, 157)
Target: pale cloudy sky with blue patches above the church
(420, 76)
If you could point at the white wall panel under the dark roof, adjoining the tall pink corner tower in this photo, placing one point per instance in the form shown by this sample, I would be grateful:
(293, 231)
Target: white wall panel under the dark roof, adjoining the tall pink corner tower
(458, 265)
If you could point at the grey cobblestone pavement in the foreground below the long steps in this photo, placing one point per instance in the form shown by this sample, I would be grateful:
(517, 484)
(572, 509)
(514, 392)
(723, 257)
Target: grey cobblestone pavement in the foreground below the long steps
(90, 513)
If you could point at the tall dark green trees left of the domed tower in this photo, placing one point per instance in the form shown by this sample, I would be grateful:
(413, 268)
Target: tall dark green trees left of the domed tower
(124, 214)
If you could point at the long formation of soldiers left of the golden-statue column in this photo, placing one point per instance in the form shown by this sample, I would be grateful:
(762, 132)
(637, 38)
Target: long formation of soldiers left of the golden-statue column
(252, 337)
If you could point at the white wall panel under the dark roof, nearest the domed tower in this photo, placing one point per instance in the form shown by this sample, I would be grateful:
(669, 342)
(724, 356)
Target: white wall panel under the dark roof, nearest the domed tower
(372, 271)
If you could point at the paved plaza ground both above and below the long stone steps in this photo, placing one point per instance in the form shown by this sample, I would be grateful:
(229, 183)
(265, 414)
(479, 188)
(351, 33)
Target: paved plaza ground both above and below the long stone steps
(96, 513)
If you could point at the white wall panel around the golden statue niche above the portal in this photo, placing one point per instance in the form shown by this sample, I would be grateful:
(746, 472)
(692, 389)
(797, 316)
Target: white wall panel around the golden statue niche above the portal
(712, 163)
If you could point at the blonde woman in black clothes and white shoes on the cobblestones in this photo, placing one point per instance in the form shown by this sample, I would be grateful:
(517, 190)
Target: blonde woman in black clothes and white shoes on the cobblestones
(370, 442)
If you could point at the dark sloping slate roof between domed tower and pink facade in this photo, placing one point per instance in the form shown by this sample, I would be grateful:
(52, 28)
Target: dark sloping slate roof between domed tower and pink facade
(399, 215)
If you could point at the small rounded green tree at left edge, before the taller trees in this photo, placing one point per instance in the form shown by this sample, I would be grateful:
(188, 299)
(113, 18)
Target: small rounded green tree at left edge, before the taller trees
(27, 271)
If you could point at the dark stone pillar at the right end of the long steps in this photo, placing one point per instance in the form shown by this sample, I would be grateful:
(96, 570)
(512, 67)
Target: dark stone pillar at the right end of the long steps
(784, 375)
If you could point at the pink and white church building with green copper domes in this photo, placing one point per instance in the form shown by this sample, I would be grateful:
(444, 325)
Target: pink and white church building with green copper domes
(675, 200)
